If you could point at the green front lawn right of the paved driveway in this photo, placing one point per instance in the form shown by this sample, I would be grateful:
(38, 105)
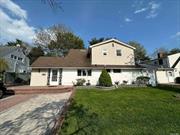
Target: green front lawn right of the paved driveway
(123, 111)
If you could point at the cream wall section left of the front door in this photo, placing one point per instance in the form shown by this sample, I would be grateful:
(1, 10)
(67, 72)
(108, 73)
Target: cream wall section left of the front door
(39, 77)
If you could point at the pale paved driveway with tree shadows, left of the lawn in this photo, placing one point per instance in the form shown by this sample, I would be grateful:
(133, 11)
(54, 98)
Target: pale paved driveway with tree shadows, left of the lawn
(37, 115)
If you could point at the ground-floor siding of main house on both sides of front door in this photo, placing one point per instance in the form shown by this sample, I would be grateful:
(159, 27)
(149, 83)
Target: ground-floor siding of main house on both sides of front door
(69, 76)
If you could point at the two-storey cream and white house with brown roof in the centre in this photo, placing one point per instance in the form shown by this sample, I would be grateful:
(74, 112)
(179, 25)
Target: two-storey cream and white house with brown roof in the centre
(115, 56)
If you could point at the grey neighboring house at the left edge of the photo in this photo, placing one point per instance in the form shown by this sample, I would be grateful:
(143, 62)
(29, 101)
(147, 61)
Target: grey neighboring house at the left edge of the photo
(17, 60)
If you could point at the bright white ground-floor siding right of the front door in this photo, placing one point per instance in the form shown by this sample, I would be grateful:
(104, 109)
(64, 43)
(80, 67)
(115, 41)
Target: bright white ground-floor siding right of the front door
(69, 76)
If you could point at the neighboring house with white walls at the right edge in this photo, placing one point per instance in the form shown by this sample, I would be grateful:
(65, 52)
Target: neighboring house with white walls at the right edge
(167, 67)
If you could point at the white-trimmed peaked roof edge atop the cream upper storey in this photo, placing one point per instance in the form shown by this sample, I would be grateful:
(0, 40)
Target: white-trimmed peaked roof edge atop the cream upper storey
(113, 40)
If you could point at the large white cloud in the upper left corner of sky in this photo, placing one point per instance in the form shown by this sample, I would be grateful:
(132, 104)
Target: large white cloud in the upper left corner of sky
(16, 26)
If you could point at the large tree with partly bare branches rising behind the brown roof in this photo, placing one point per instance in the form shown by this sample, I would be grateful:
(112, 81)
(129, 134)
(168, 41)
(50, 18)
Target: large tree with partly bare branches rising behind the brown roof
(57, 40)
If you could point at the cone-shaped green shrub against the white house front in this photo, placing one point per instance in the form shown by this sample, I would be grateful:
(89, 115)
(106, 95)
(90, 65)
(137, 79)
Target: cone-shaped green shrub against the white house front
(105, 79)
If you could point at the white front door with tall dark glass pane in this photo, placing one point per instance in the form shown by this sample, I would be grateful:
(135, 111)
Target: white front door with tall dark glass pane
(54, 77)
